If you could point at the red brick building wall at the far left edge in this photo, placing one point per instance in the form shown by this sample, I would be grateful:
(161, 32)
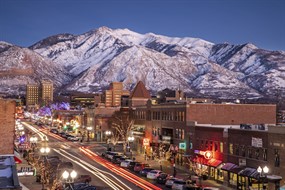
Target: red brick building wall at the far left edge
(7, 126)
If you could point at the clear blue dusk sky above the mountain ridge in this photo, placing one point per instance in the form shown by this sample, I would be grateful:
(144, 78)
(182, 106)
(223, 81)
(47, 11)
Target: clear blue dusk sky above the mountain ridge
(261, 22)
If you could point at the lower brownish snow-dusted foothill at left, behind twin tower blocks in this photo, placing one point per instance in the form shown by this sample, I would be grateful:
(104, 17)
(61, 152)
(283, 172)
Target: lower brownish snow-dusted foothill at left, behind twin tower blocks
(20, 66)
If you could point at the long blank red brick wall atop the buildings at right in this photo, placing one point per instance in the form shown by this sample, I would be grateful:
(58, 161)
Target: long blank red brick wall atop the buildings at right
(232, 114)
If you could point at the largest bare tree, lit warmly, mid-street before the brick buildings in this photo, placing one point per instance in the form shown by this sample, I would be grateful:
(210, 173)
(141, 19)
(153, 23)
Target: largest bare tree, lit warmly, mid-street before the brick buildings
(122, 125)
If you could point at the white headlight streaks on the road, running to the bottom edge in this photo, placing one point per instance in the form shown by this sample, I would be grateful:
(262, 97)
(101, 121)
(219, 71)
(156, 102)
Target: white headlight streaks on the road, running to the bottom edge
(95, 171)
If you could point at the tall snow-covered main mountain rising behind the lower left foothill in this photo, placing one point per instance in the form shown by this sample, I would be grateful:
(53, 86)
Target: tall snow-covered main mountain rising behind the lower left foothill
(98, 57)
